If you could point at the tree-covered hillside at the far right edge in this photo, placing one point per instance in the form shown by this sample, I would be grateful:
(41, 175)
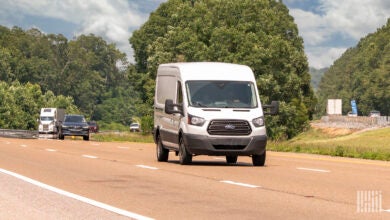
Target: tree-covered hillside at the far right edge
(362, 73)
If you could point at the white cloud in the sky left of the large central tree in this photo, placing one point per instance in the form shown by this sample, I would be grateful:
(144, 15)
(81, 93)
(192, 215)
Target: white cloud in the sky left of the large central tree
(114, 20)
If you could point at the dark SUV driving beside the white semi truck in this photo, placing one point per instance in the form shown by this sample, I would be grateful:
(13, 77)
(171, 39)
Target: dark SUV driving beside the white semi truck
(74, 125)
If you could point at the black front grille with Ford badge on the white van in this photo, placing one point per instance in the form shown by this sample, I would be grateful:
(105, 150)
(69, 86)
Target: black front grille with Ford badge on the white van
(229, 127)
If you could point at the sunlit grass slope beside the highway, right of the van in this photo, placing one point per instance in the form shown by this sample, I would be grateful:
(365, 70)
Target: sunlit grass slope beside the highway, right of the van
(373, 144)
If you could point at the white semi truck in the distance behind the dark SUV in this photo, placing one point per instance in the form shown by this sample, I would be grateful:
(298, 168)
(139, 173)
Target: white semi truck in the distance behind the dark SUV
(49, 121)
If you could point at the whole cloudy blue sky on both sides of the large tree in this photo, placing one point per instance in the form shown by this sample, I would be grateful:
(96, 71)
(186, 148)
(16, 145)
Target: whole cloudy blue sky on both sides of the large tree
(328, 27)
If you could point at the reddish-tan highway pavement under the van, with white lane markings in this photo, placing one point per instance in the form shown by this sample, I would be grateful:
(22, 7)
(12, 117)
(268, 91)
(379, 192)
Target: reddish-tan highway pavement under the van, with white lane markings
(76, 179)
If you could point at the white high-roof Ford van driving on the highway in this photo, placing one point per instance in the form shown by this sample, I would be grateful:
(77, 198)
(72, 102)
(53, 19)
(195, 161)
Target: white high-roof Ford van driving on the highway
(209, 108)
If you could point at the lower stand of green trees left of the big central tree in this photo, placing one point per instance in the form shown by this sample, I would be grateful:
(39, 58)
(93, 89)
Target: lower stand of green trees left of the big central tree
(84, 71)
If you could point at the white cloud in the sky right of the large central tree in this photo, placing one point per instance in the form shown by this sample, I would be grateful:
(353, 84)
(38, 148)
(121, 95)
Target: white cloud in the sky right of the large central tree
(337, 21)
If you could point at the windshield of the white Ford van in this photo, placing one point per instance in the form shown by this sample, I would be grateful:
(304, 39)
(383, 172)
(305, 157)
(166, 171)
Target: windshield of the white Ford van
(221, 94)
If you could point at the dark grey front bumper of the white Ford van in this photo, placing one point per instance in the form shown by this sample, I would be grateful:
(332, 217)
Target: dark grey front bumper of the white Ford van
(225, 146)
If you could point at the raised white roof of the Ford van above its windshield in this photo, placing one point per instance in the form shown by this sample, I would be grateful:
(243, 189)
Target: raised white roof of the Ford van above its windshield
(208, 71)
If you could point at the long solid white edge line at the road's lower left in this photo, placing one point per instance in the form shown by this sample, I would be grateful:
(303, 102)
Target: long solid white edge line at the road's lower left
(77, 197)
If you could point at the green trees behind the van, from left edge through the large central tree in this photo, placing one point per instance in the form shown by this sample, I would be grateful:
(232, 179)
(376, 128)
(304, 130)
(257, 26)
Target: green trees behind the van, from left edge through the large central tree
(257, 33)
